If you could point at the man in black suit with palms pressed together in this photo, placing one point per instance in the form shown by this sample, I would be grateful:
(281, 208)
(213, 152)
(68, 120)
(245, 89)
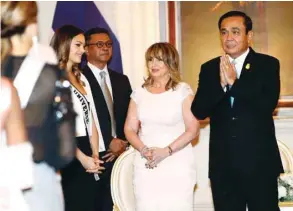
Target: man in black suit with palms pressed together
(239, 92)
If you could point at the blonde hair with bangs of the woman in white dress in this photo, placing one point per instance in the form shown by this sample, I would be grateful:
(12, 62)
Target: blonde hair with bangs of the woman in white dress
(169, 55)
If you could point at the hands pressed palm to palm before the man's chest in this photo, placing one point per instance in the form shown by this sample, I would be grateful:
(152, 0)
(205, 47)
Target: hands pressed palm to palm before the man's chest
(227, 72)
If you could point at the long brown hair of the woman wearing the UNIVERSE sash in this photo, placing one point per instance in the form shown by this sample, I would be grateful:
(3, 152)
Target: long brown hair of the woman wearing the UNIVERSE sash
(61, 42)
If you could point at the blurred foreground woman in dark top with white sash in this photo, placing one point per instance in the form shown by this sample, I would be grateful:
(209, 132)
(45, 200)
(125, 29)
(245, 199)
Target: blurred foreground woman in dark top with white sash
(45, 99)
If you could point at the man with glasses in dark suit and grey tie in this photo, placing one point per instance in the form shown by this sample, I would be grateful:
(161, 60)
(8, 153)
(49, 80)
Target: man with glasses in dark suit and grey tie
(111, 94)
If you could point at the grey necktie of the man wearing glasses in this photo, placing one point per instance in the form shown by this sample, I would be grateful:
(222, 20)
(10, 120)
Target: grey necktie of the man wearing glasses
(109, 101)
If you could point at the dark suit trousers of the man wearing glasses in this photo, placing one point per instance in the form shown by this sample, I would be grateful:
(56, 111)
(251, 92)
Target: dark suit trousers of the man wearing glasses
(104, 200)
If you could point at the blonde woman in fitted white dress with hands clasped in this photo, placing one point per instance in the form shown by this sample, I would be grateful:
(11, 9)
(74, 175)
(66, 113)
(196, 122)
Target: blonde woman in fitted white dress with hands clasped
(160, 126)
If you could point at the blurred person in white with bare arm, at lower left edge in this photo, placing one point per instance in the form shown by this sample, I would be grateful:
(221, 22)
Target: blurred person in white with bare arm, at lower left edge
(15, 152)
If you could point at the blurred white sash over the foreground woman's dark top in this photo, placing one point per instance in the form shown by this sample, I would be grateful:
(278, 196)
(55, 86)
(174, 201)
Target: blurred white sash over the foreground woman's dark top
(31, 69)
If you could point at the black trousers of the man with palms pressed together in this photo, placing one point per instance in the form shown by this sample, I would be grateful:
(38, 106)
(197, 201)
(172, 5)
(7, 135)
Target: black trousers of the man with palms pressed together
(233, 192)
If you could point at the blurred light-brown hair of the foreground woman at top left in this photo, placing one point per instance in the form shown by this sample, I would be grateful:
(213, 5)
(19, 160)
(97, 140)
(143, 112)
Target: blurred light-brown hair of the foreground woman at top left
(15, 16)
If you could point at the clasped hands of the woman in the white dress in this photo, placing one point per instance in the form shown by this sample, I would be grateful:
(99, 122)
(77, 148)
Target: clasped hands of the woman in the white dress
(154, 155)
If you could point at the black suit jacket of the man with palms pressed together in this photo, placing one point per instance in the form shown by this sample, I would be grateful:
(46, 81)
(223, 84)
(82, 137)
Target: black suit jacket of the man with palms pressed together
(242, 138)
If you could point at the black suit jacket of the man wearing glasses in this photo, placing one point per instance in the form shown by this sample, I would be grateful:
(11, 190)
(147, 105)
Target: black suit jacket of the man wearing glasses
(121, 90)
